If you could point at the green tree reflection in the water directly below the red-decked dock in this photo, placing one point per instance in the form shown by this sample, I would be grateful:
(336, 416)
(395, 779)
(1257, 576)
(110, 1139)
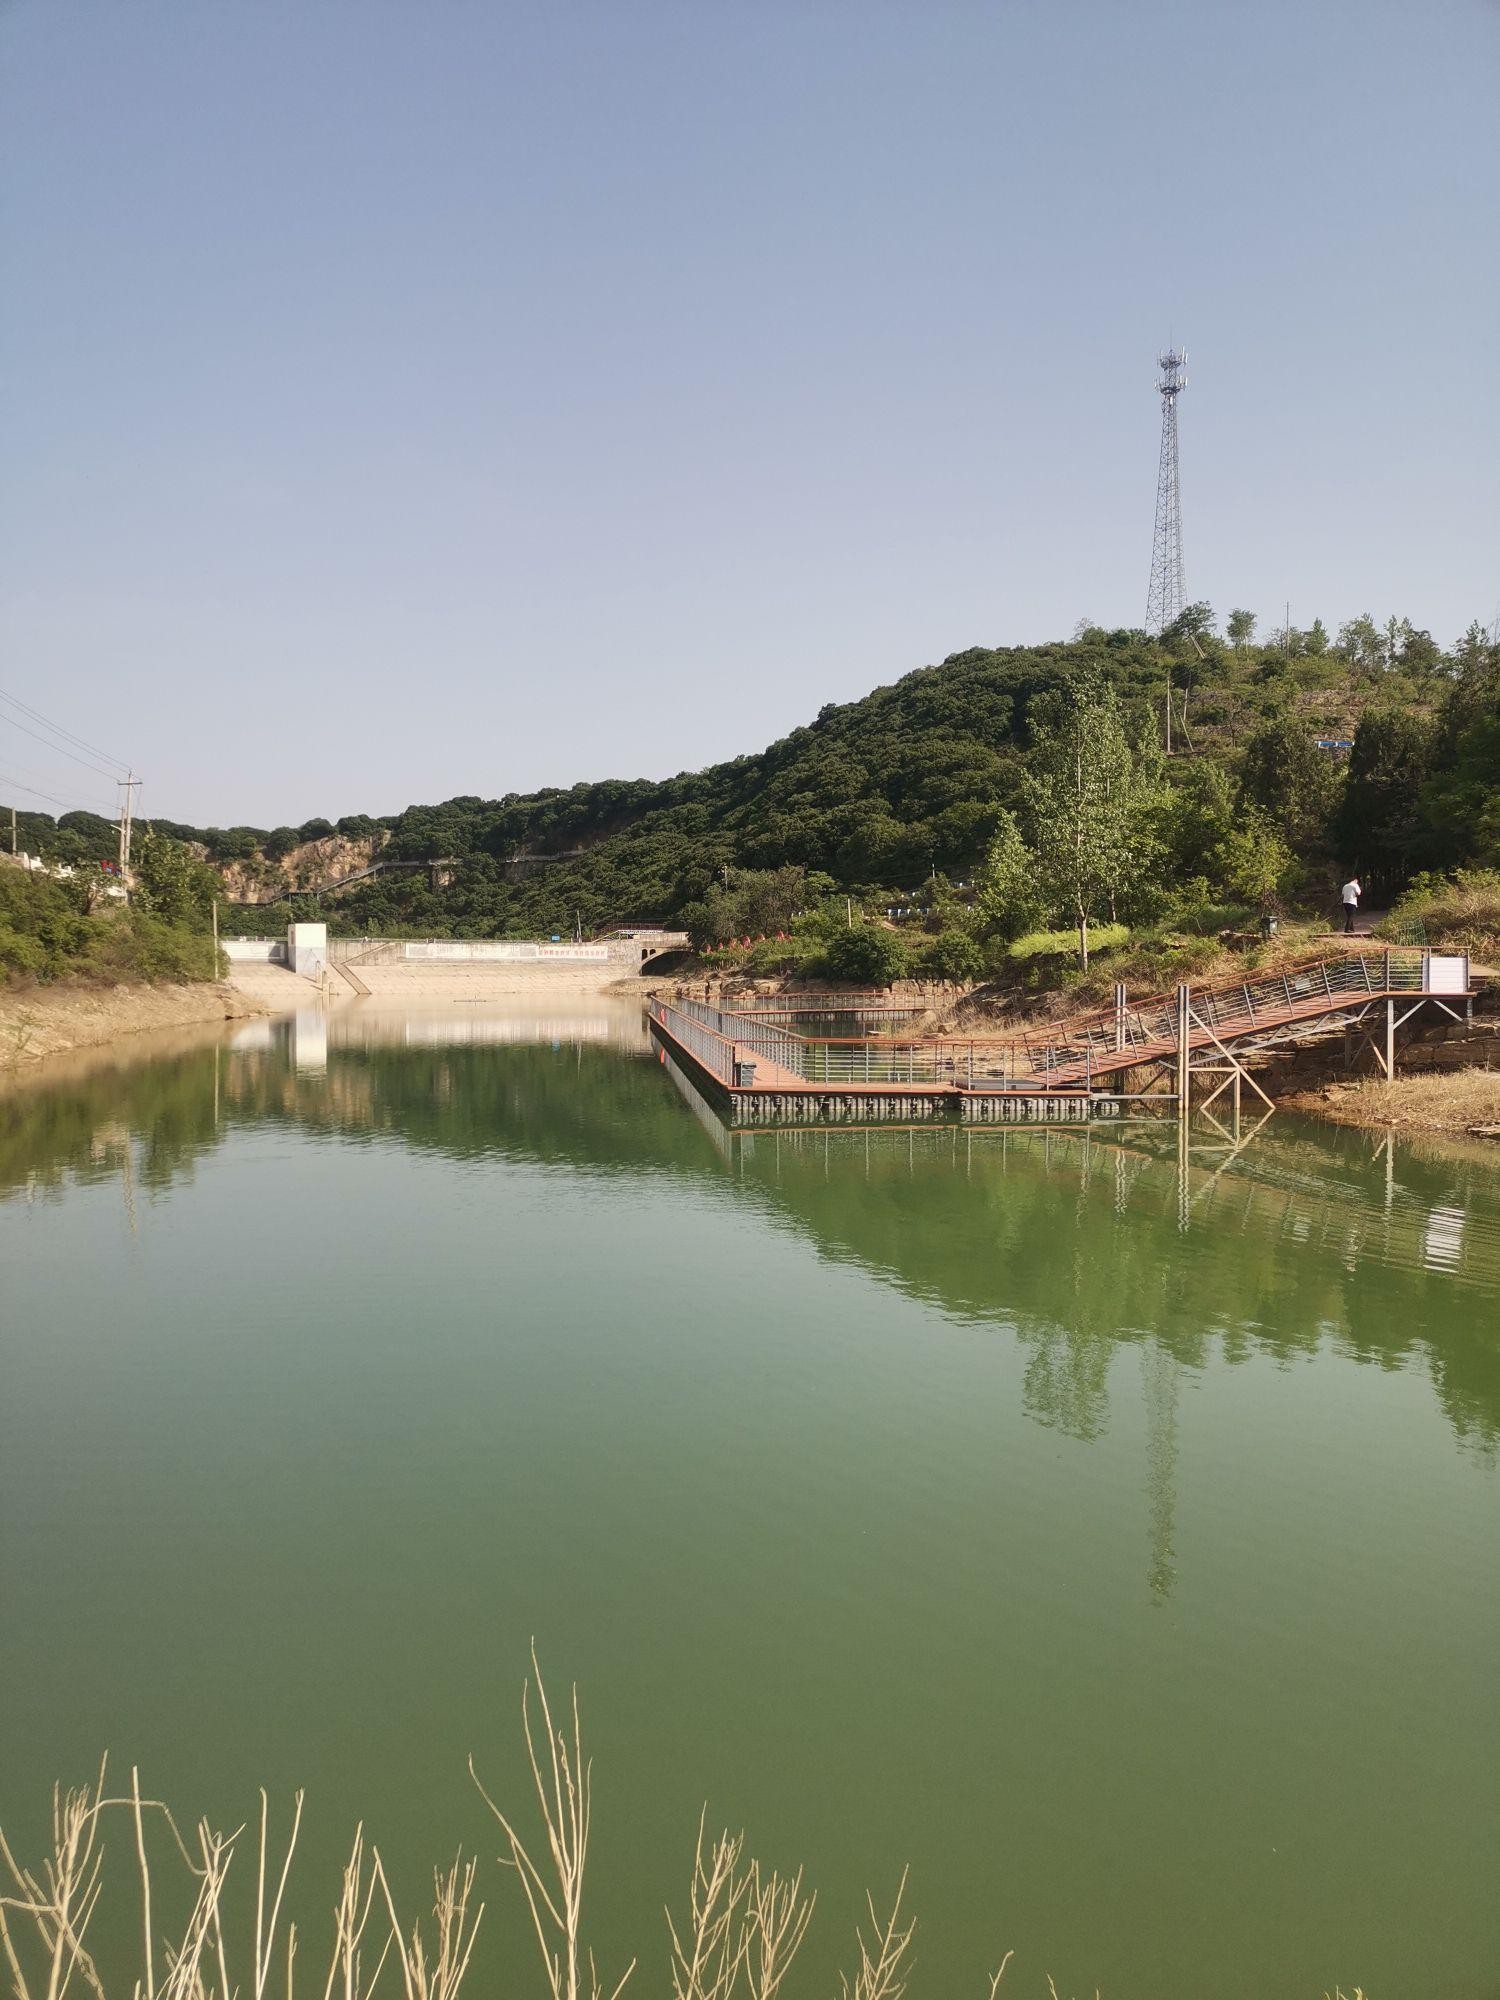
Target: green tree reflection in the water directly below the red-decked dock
(1075, 1243)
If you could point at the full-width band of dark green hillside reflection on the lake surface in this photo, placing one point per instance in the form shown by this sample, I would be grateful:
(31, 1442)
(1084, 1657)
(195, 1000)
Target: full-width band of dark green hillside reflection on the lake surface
(1071, 1239)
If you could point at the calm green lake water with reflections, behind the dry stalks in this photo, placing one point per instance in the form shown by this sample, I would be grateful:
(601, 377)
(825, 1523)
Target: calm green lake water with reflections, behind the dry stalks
(1111, 1537)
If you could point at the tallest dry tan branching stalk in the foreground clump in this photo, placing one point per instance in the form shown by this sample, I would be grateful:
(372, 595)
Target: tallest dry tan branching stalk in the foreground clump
(557, 1897)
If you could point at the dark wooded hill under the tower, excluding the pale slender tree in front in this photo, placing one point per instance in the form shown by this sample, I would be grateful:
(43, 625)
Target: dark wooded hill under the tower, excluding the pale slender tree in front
(913, 781)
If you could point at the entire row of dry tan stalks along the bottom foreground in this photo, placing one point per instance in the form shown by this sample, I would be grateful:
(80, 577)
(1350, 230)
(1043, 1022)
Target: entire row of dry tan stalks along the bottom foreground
(739, 1937)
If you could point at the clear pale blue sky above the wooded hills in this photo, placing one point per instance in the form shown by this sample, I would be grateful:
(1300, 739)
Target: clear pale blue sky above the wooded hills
(421, 399)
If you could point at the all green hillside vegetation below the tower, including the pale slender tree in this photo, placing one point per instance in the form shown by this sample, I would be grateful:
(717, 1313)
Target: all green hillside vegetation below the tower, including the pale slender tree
(1013, 801)
